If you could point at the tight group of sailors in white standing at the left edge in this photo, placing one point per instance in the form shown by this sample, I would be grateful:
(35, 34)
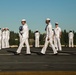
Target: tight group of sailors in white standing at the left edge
(4, 38)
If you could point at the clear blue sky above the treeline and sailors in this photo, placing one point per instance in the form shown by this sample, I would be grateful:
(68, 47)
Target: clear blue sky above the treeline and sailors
(35, 12)
